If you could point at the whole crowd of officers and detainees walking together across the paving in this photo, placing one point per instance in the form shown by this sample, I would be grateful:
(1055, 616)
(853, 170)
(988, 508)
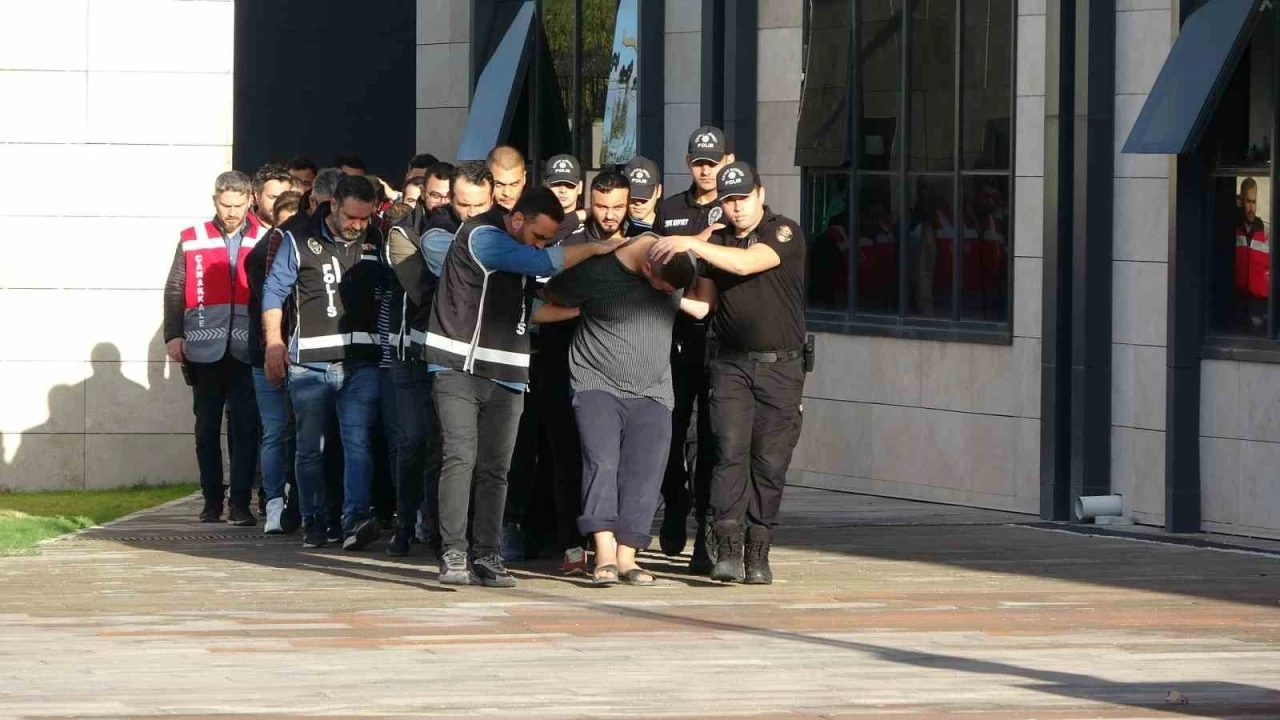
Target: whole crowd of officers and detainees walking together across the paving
(534, 358)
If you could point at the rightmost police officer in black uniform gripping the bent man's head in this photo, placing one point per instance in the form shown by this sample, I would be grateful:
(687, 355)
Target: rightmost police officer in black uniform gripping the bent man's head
(757, 267)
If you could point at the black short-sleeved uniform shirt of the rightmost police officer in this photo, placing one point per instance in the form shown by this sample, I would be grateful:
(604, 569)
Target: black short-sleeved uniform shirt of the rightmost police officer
(764, 312)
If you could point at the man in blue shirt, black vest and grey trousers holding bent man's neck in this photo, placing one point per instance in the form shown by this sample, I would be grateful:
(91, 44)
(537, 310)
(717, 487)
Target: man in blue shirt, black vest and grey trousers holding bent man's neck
(478, 347)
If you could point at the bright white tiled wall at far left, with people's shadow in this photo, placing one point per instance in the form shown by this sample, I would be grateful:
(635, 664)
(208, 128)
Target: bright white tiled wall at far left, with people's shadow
(118, 119)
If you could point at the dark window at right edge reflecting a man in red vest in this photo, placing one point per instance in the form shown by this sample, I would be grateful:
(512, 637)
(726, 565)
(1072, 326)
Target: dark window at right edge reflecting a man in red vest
(1238, 142)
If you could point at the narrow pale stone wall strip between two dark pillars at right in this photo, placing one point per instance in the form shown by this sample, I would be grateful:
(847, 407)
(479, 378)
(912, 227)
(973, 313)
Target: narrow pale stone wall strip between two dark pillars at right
(1140, 280)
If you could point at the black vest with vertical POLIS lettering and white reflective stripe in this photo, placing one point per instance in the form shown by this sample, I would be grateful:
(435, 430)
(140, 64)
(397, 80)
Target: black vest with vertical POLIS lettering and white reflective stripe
(336, 297)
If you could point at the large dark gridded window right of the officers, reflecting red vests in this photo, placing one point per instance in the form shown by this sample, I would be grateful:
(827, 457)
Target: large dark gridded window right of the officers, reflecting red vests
(912, 234)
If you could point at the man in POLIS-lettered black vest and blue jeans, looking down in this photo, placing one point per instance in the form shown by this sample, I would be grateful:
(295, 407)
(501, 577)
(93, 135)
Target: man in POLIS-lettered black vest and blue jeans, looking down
(333, 270)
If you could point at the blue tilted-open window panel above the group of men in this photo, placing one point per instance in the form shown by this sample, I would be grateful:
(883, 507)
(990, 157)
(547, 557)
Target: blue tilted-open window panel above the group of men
(499, 89)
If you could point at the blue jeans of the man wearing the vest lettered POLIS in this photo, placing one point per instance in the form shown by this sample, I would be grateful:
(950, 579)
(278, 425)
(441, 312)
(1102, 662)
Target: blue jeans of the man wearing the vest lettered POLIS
(353, 391)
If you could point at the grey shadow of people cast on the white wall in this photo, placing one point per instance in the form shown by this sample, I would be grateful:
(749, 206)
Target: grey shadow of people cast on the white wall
(61, 453)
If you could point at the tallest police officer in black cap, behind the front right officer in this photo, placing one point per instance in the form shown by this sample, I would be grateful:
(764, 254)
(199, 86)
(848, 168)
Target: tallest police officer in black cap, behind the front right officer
(694, 212)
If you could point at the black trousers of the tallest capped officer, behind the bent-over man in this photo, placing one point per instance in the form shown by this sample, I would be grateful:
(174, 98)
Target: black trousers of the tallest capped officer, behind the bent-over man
(693, 445)
